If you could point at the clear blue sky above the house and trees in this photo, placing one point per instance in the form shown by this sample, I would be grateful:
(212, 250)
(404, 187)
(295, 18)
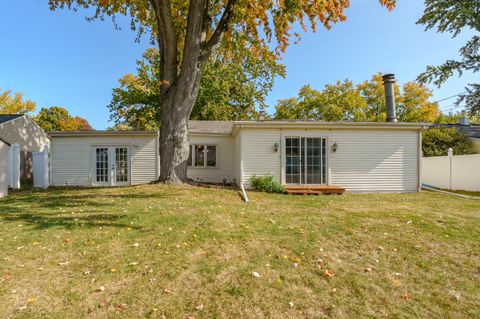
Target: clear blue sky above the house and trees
(58, 58)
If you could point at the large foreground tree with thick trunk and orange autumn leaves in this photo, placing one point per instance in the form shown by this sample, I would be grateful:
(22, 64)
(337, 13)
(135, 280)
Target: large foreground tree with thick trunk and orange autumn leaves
(187, 32)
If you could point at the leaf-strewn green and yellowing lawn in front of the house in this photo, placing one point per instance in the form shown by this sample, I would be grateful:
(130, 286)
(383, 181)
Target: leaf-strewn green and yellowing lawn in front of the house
(177, 252)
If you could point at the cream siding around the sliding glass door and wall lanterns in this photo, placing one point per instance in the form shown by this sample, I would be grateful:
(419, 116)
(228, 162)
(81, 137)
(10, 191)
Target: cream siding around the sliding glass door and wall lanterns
(366, 160)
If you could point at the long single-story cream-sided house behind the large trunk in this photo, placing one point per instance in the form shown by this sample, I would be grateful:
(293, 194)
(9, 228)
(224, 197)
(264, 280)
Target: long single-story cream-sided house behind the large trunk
(361, 157)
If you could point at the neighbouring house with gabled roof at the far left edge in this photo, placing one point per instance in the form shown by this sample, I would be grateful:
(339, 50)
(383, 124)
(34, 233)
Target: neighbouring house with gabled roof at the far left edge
(22, 130)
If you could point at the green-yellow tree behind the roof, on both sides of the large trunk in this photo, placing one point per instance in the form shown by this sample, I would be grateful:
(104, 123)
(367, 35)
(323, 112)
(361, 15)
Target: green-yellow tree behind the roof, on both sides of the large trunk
(228, 91)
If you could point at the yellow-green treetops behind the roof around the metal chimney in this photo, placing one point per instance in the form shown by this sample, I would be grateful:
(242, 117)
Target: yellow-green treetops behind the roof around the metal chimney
(345, 101)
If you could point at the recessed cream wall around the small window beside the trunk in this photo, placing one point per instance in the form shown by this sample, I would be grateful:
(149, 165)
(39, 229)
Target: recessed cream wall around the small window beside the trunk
(224, 168)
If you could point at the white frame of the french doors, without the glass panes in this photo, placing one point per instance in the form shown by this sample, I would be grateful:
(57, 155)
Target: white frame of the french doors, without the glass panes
(111, 165)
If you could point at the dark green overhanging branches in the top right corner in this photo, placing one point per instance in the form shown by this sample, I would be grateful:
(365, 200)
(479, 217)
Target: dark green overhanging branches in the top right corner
(453, 16)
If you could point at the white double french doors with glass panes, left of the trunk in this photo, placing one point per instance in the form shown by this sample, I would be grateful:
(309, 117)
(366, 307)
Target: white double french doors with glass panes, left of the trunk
(111, 165)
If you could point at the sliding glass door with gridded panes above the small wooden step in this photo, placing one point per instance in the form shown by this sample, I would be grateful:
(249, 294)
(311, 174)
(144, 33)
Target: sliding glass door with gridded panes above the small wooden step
(306, 160)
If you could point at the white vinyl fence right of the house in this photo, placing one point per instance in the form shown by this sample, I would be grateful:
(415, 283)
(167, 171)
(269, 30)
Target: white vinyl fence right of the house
(459, 172)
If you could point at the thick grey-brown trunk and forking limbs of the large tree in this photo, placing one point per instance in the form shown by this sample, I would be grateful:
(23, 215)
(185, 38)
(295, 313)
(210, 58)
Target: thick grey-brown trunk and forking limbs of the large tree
(180, 84)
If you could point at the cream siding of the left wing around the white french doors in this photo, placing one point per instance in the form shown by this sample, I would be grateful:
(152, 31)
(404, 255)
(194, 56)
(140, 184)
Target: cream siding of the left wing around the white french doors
(72, 164)
